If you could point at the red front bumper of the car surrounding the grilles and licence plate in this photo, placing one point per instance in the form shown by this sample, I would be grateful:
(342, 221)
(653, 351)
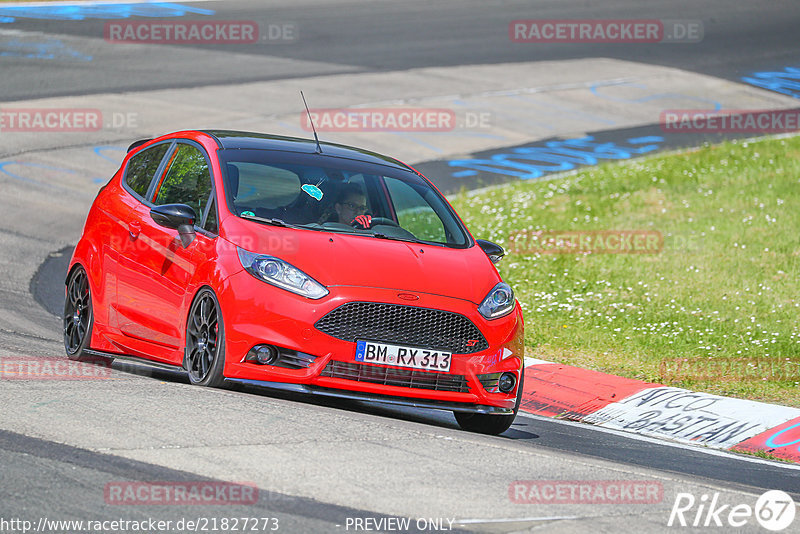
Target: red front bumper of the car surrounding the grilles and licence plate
(256, 313)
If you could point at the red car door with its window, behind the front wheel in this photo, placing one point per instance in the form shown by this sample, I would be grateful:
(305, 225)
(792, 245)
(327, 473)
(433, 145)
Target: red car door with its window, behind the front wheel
(154, 275)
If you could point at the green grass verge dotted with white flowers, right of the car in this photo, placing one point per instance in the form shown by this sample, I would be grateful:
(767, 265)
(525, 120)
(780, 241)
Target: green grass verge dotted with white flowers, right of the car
(716, 310)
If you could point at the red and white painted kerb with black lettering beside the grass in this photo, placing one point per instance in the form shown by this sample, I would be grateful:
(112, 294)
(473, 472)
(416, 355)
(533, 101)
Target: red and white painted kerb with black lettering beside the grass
(660, 411)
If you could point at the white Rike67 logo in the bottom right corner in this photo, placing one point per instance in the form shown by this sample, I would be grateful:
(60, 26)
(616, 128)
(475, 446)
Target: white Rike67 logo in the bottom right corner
(774, 510)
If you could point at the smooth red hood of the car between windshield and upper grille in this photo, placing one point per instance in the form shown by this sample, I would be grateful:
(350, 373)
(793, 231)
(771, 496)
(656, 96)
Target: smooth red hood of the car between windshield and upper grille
(347, 260)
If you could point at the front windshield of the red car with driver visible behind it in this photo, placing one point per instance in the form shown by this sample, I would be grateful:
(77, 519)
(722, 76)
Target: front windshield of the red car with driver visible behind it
(338, 195)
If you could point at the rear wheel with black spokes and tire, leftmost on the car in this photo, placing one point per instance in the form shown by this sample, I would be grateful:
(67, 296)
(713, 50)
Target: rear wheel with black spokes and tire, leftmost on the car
(78, 316)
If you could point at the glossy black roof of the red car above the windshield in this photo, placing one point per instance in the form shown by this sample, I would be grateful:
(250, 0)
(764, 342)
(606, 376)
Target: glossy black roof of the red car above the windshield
(231, 139)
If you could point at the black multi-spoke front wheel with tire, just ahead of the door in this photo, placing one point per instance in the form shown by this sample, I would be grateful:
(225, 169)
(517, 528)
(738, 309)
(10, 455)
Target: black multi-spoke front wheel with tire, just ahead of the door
(204, 355)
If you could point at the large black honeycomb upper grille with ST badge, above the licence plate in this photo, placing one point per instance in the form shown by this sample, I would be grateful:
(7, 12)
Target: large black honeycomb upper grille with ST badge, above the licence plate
(403, 325)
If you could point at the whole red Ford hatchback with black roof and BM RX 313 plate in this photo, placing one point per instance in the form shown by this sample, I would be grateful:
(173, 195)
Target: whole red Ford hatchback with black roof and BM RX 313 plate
(299, 265)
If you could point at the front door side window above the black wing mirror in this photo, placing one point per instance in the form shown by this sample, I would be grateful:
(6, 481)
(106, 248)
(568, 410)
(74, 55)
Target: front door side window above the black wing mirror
(187, 180)
